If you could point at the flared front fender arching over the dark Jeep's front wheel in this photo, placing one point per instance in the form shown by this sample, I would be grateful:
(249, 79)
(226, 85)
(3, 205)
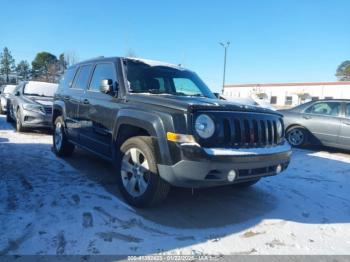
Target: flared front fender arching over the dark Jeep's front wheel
(152, 123)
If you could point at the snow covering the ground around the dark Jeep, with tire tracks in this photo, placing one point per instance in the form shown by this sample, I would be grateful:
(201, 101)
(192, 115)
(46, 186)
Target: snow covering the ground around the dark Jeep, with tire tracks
(72, 206)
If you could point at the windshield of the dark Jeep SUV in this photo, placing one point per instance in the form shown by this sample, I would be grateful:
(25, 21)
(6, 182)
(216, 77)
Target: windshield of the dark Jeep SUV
(144, 78)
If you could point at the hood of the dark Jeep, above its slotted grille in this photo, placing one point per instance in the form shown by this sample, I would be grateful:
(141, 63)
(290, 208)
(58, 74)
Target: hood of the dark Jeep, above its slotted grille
(186, 103)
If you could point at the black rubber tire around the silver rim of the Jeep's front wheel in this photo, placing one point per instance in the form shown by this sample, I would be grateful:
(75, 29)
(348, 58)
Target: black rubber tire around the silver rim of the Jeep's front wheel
(157, 189)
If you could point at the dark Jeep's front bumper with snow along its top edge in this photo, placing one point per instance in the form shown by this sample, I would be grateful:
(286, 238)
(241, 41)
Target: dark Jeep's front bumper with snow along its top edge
(201, 167)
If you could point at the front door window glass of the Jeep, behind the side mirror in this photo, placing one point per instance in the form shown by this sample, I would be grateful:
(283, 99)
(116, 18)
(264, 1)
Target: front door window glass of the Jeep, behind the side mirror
(102, 72)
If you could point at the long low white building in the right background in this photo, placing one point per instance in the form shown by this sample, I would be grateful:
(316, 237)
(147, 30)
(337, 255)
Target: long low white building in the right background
(290, 94)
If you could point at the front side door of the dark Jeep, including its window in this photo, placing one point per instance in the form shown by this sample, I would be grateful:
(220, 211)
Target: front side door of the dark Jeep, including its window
(99, 110)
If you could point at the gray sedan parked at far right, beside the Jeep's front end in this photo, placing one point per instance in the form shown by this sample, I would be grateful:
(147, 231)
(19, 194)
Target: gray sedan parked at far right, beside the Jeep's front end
(323, 122)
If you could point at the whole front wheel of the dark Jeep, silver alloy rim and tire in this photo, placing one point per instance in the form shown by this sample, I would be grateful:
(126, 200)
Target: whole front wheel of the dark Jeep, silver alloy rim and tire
(138, 178)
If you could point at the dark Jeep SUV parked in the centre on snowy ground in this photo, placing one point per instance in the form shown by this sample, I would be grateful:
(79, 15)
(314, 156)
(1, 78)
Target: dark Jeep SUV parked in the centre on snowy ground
(161, 125)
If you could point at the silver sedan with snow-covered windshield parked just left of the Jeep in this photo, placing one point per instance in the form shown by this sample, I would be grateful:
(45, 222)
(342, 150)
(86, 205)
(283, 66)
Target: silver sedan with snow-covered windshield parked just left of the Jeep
(31, 105)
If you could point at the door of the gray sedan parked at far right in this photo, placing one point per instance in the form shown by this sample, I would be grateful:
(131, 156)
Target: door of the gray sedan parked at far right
(323, 120)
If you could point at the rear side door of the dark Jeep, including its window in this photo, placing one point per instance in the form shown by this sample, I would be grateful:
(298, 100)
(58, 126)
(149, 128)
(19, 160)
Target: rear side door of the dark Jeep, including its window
(72, 99)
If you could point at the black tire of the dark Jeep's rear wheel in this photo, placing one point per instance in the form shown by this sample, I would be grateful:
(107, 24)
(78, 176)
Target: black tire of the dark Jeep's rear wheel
(64, 148)
